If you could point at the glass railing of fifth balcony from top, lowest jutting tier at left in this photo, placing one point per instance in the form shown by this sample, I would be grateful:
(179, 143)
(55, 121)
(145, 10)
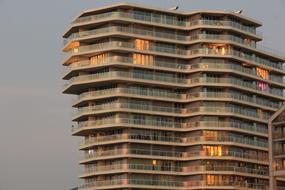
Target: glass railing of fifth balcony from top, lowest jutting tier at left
(172, 80)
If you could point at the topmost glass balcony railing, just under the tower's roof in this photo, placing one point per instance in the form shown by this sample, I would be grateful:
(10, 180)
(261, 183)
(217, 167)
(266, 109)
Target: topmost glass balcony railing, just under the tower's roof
(159, 20)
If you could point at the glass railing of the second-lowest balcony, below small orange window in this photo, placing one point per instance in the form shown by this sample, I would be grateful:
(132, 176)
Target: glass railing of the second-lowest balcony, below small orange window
(175, 169)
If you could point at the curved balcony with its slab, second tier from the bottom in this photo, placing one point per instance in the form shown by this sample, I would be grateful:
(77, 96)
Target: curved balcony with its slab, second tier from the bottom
(186, 170)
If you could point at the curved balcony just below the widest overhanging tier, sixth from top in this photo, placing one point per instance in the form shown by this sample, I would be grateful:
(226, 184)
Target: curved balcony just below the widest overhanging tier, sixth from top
(175, 97)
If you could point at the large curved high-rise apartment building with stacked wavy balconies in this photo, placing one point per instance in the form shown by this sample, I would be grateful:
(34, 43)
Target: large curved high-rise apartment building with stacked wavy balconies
(171, 100)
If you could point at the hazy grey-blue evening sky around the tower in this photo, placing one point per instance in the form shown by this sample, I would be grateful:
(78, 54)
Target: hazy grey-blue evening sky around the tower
(37, 151)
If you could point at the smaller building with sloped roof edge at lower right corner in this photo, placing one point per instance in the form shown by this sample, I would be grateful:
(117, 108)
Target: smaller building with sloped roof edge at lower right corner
(277, 150)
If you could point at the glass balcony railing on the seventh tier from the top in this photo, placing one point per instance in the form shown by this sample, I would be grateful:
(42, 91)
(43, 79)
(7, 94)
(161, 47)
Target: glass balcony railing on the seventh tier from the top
(168, 109)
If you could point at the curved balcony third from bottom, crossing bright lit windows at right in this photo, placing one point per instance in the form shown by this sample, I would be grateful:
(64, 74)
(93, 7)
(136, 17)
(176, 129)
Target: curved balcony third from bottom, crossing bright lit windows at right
(159, 154)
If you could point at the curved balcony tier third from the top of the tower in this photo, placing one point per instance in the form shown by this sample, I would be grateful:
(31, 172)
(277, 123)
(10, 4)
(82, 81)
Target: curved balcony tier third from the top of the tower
(175, 52)
